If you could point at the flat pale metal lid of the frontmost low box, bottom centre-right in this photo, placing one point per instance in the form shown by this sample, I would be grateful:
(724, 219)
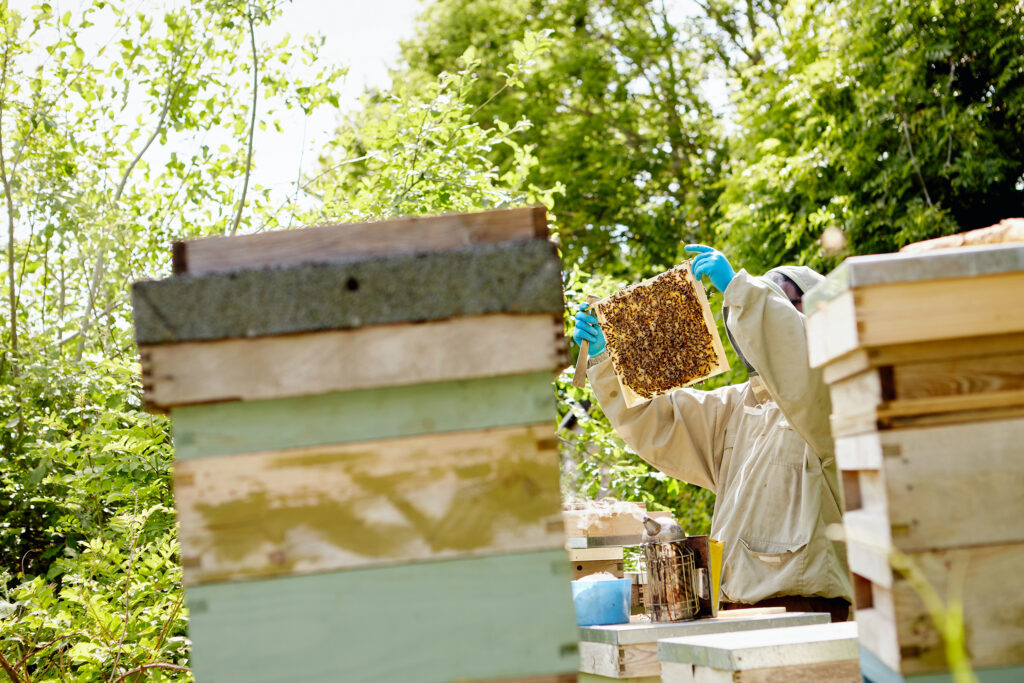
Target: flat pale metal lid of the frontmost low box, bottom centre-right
(764, 649)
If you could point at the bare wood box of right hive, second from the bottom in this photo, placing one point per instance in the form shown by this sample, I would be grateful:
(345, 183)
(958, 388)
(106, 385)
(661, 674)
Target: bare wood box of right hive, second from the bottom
(929, 494)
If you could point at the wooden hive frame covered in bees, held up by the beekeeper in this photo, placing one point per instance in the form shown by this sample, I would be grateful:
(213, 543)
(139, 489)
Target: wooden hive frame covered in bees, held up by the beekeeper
(661, 335)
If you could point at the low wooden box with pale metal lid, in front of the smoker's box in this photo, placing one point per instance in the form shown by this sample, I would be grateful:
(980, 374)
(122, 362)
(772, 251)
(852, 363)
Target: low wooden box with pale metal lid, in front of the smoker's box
(824, 653)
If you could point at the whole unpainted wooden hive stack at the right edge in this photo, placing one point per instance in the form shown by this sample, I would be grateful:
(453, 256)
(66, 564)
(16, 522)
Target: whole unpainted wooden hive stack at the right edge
(924, 355)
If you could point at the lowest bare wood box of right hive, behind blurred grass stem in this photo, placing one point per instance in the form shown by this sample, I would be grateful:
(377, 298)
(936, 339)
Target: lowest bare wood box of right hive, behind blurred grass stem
(898, 629)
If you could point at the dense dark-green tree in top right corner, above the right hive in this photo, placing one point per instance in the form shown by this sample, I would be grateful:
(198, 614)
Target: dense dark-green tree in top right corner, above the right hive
(891, 122)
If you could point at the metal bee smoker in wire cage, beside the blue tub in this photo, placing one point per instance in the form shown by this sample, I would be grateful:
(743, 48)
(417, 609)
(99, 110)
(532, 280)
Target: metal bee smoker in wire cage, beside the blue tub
(674, 583)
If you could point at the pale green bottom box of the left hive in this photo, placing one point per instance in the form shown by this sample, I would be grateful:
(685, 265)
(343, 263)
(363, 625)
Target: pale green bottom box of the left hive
(480, 619)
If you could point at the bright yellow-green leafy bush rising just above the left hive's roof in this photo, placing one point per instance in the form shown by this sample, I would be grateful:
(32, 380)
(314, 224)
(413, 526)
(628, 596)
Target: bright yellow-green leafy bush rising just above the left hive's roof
(419, 151)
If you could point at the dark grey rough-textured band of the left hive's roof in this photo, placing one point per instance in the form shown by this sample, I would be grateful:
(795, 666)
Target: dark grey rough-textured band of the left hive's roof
(511, 278)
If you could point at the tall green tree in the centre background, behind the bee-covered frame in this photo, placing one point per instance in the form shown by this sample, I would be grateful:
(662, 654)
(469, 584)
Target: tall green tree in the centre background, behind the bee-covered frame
(617, 114)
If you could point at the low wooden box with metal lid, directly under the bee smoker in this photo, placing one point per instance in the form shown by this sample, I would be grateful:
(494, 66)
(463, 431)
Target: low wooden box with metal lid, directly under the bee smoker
(630, 651)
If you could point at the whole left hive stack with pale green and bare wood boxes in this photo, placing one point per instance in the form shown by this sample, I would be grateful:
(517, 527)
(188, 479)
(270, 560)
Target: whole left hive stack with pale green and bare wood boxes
(366, 472)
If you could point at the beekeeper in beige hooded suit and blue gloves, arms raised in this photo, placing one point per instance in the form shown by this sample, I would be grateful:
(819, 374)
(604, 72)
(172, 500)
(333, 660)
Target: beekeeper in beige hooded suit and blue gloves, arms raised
(764, 447)
